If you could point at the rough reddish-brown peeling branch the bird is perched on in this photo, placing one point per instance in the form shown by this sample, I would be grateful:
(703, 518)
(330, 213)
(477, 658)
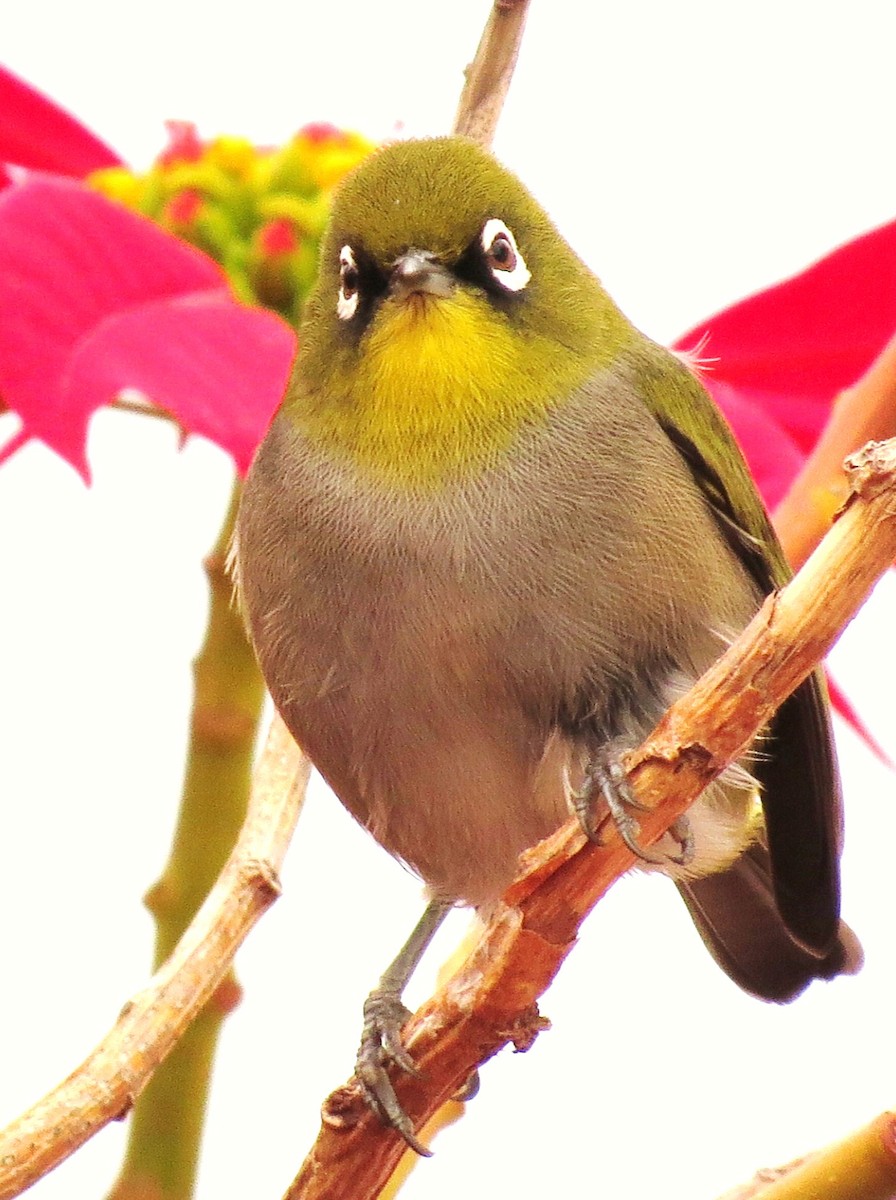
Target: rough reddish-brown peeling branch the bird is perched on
(494, 999)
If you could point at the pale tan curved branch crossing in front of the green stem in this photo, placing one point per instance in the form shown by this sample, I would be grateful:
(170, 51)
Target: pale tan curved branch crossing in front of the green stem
(107, 1083)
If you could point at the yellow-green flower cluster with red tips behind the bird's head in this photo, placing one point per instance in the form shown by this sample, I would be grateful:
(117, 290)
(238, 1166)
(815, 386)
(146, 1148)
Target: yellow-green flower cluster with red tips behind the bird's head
(258, 212)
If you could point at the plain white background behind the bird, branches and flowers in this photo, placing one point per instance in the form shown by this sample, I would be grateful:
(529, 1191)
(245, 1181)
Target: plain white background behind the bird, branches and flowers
(693, 153)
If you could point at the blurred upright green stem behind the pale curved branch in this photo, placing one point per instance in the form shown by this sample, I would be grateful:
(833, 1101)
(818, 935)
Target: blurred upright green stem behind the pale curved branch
(167, 1121)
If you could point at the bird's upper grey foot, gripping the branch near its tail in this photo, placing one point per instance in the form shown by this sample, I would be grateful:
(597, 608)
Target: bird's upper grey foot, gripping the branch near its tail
(606, 778)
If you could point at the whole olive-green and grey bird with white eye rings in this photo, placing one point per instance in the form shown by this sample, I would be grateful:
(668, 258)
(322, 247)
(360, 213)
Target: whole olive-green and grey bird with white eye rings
(492, 533)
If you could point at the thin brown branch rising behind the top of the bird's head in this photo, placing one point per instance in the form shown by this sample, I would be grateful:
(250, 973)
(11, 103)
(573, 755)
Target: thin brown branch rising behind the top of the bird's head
(488, 79)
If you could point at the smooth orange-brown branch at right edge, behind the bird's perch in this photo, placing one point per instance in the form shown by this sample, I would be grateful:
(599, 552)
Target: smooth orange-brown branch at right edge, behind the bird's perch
(864, 412)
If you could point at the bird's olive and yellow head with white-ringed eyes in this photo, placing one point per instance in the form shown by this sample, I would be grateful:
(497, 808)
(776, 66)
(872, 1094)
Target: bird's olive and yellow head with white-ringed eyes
(448, 313)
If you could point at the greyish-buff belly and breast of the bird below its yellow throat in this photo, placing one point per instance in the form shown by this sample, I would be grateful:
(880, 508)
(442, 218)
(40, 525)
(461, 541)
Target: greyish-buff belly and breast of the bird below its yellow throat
(444, 658)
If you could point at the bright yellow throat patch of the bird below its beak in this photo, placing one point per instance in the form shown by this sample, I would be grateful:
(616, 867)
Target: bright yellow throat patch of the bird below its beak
(438, 389)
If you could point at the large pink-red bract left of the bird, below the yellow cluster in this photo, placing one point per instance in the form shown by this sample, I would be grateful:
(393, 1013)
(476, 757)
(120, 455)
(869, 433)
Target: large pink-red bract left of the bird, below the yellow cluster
(98, 299)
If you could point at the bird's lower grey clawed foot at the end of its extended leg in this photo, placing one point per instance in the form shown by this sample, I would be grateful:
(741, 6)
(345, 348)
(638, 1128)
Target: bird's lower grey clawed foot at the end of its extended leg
(384, 1015)
